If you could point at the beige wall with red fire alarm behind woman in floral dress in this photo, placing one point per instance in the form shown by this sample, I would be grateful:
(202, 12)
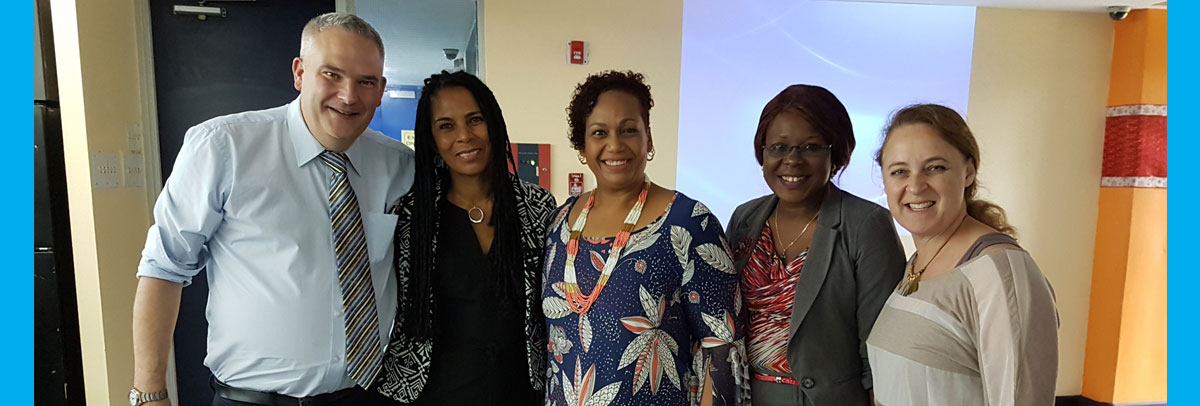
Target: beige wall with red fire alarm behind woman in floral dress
(525, 64)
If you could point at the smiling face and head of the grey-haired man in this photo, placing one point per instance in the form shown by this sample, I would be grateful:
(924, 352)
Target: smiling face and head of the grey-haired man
(341, 83)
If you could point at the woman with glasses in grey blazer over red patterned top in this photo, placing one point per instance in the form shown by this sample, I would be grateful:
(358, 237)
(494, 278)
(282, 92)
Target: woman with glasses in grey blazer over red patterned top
(817, 262)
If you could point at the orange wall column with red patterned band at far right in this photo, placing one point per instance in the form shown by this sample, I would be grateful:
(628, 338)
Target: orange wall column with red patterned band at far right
(1126, 356)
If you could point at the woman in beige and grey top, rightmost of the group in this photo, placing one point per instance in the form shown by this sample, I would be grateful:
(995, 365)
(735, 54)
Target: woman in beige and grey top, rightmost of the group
(974, 321)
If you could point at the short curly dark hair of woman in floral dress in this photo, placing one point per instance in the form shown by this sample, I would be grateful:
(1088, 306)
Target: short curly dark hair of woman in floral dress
(586, 94)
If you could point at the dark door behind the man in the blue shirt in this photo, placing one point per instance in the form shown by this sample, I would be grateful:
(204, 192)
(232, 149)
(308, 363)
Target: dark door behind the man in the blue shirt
(206, 69)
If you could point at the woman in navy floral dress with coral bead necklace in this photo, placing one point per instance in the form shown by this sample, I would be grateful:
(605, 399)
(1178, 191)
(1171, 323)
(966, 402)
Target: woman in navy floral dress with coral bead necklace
(641, 297)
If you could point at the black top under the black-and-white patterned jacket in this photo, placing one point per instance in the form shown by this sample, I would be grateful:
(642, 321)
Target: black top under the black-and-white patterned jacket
(479, 356)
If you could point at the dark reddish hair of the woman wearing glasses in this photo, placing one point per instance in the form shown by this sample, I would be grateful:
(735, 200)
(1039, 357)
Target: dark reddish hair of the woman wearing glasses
(824, 112)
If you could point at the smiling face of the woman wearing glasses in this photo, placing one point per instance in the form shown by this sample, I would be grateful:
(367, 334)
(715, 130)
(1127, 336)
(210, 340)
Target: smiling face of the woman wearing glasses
(797, 177)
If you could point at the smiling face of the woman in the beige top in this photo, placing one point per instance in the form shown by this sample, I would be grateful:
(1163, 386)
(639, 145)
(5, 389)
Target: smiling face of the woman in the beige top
(925, 178)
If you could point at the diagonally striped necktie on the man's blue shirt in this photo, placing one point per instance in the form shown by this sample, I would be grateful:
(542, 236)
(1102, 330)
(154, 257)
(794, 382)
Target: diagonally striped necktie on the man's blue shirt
(364, 353)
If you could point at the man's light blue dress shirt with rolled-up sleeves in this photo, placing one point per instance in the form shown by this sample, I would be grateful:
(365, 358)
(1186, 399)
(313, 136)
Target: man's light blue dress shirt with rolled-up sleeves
(249, 199)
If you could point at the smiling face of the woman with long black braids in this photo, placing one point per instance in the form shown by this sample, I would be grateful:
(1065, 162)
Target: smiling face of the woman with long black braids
(460, 133)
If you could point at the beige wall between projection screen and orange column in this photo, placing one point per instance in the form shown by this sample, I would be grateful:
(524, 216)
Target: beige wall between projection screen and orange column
(1039, 89)
